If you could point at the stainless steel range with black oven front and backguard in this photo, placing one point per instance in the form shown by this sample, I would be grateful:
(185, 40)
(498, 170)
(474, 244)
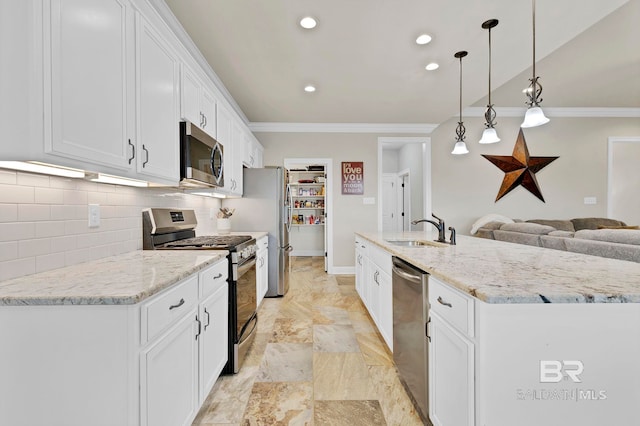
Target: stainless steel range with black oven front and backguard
(174, 229)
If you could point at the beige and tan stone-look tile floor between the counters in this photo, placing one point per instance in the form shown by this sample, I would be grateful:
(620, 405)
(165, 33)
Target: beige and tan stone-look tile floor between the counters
(317, 360)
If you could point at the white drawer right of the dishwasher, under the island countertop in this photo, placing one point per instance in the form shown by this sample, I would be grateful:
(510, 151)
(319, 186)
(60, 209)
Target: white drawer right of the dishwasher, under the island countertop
(452, 305)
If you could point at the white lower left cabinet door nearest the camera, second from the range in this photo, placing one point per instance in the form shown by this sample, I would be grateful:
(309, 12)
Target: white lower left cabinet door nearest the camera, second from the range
(169, 377)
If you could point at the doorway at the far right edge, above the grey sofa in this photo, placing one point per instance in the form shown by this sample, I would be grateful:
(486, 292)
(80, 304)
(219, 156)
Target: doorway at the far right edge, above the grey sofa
(623, 179)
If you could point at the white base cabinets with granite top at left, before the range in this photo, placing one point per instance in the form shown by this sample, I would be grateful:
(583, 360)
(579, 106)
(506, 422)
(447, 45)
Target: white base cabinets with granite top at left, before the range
(134, 339)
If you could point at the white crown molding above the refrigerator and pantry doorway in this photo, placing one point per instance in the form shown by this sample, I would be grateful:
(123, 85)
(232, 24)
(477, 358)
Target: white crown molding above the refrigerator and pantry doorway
(400, 128)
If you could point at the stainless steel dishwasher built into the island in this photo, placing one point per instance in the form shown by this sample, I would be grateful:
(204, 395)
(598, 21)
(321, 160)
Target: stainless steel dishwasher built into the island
(410, 346)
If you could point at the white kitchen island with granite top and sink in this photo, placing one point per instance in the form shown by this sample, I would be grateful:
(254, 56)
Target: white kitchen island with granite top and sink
(525, 335)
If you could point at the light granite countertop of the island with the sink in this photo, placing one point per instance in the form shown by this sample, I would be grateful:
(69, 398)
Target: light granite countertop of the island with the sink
(500, 272)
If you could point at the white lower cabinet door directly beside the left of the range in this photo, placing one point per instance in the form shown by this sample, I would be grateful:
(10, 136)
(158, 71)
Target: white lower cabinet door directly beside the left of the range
(214, 338)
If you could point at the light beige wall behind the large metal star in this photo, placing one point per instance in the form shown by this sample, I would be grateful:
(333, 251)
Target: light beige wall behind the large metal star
(465, 187)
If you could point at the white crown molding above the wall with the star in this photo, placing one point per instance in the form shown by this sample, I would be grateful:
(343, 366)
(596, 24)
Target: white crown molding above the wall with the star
(575, 112)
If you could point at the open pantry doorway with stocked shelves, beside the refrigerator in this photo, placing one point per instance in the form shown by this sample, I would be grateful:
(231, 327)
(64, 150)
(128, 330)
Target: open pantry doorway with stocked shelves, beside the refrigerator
(311, 234)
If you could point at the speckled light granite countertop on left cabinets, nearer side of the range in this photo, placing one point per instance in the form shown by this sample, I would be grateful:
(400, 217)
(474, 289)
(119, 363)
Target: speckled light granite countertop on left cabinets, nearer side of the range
(117, 280)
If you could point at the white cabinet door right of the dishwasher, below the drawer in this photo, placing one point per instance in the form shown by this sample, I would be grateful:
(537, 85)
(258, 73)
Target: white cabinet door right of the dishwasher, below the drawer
(451, 375)
